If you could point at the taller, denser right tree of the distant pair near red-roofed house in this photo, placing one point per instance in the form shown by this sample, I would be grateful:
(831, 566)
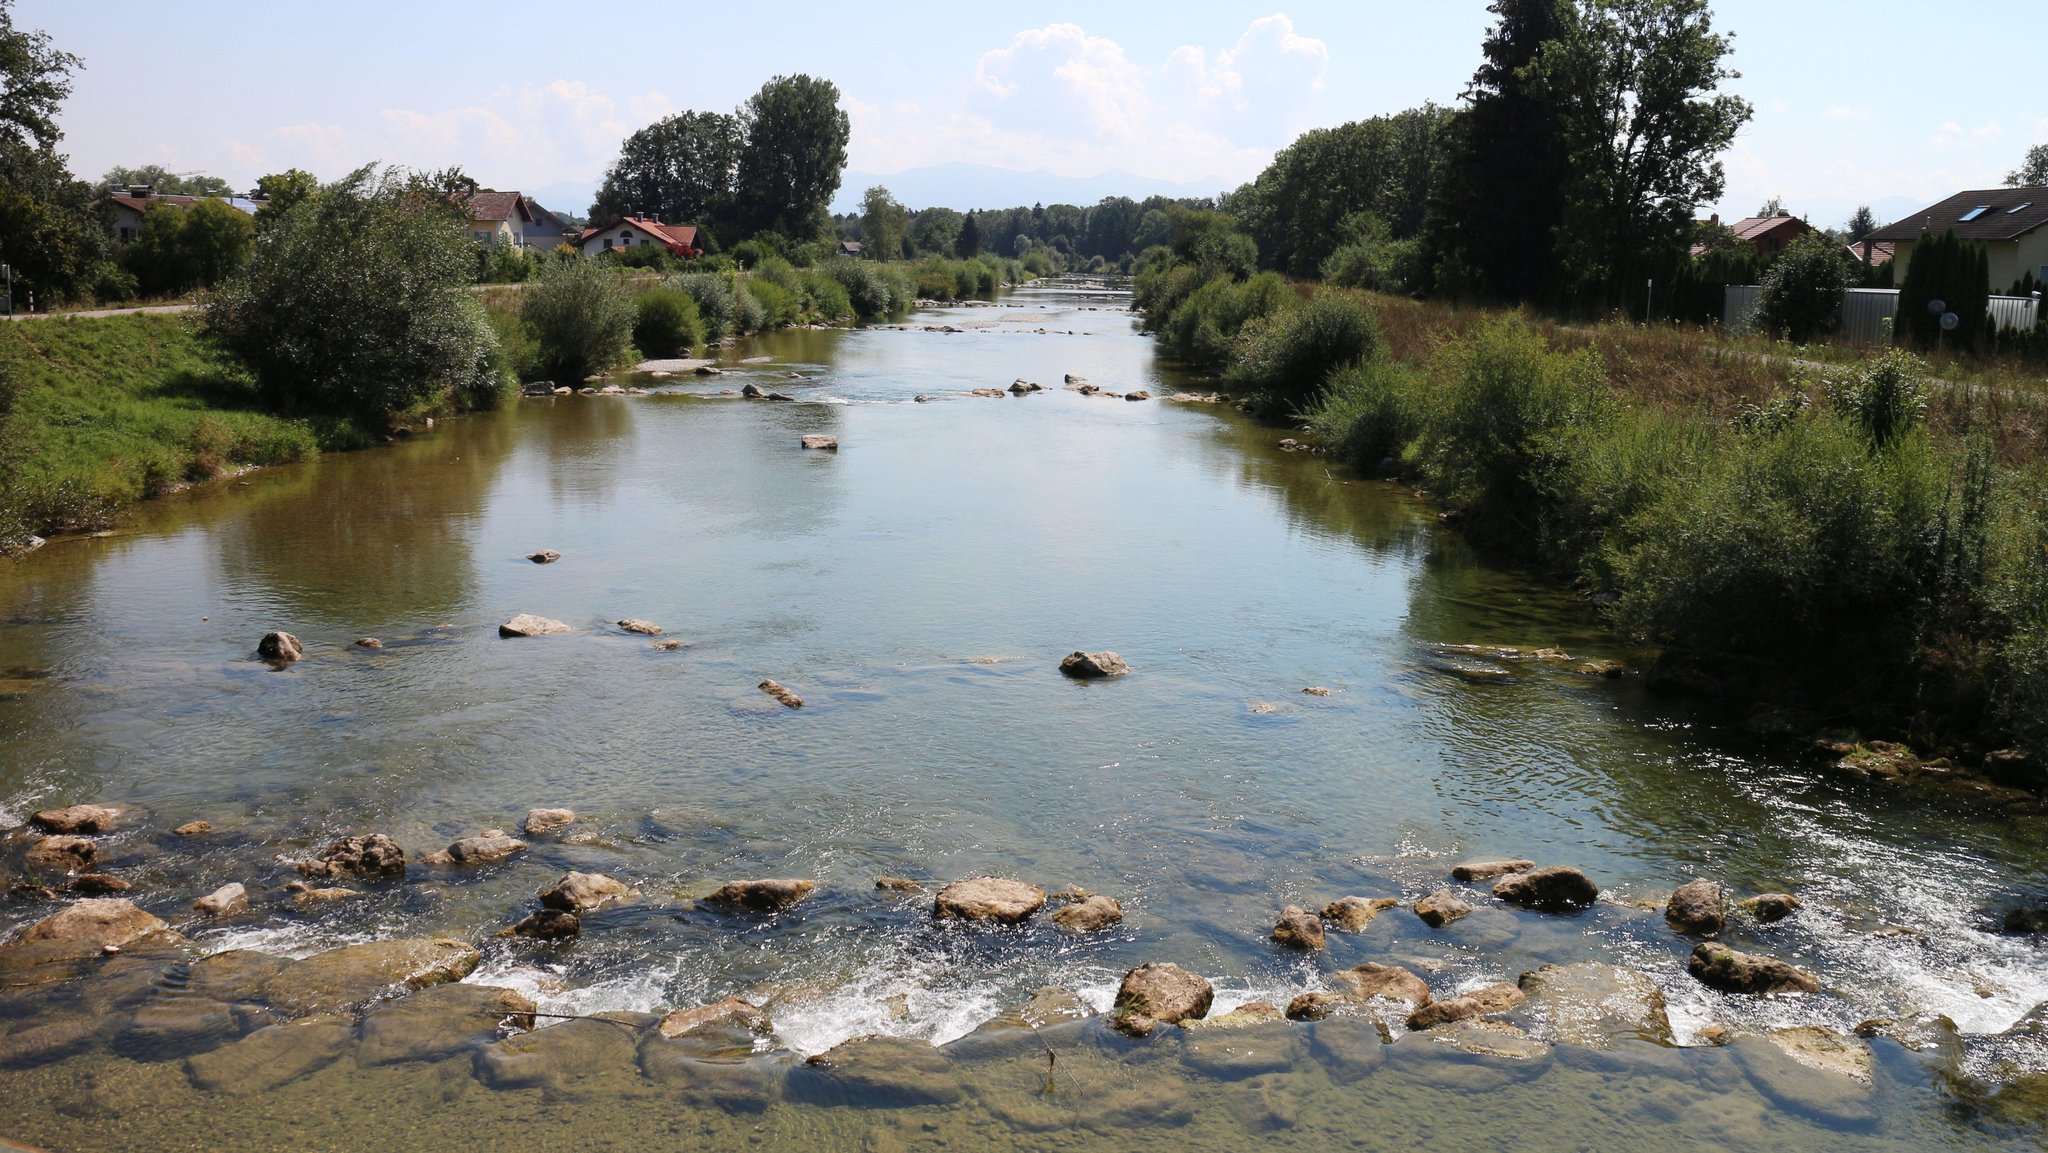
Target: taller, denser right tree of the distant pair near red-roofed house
(794, 157)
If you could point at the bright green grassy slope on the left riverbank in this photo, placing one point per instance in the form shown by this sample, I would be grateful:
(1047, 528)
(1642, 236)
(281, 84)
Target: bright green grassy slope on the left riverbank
(124, 409)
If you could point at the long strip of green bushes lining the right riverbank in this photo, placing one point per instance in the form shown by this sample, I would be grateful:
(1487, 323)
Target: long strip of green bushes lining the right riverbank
(1818, 556)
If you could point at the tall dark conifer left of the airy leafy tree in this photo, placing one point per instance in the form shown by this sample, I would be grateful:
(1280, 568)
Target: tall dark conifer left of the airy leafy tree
(1502, 198)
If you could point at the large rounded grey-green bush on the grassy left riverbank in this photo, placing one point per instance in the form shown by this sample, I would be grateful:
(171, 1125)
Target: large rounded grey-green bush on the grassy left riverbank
(357, 304)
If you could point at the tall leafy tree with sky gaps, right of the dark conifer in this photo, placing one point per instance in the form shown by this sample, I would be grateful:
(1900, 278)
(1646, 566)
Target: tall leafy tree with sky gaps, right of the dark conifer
(1635, 87)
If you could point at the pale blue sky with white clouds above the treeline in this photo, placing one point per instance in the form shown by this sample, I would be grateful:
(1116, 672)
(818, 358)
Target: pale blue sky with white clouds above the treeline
(1879, 103)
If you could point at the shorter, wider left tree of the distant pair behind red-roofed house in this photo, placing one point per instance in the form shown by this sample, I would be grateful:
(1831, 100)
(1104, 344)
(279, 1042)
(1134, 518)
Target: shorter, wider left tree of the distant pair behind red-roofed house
(679, 171)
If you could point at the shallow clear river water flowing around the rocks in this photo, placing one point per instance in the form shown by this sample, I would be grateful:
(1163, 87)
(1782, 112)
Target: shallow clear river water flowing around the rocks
(919, 589)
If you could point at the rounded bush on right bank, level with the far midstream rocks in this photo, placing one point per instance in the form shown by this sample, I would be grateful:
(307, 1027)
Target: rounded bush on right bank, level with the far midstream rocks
(1287, 357)
